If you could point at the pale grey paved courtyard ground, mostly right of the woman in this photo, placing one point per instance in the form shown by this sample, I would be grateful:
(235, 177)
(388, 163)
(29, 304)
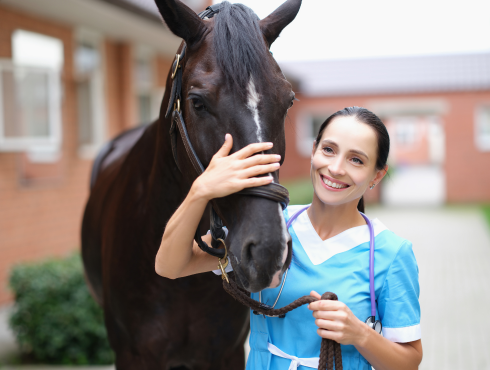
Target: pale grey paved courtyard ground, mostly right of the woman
(452, 247)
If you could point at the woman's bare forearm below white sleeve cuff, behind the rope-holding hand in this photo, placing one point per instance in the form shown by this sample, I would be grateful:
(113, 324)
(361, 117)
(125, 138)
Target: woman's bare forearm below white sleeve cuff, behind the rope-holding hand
(384, 354)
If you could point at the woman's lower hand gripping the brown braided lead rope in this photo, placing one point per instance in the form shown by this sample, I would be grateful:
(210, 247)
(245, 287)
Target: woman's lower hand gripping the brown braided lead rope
(337, 322)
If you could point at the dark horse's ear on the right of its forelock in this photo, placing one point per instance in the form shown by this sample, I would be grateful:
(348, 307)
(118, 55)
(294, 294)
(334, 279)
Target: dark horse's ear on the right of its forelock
(275, 22)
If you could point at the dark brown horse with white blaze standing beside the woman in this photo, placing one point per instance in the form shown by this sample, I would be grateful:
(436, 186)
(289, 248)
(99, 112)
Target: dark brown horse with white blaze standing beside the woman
(231, 84)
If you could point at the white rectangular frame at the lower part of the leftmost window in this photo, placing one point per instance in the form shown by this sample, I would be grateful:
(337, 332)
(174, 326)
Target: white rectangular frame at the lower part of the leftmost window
(51, 143)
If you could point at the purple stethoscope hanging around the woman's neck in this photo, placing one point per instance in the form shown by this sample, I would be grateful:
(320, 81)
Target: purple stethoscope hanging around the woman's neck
(371, 320)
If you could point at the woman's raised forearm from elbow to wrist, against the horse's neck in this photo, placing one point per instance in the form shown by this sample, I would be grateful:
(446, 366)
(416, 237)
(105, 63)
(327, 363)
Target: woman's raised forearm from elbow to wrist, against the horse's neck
(175, 252)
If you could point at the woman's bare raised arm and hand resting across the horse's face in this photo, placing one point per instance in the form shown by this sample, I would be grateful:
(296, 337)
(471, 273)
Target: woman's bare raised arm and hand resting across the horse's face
(178, 254)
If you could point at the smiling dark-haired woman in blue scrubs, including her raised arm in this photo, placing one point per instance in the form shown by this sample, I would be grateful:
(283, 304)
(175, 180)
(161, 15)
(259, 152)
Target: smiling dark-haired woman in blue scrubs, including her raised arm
(330, 253)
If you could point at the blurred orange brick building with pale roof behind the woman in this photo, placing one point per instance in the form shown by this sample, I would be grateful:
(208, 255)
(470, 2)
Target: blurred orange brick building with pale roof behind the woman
(436, 109)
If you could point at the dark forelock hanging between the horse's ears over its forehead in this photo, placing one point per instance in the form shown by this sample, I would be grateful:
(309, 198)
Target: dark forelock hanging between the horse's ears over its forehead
(241, 51)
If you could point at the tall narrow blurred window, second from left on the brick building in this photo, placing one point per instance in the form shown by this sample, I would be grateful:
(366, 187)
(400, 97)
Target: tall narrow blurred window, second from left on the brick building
(90, 94)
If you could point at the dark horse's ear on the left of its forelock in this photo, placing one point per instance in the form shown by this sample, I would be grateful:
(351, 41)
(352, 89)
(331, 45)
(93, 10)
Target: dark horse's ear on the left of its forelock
(181, 20)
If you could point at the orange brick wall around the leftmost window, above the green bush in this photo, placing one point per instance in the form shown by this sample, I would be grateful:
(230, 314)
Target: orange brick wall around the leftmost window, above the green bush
(41, 204)
